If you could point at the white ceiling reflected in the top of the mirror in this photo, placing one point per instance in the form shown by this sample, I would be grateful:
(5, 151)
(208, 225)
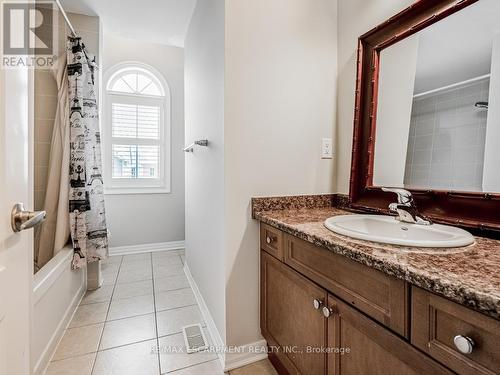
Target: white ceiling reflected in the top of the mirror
(457, 48)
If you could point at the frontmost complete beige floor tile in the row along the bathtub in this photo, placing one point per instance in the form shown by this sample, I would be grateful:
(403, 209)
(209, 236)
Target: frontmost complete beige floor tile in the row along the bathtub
(79, 341)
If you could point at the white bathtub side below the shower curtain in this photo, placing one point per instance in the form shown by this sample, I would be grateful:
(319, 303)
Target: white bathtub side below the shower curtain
(57, 292)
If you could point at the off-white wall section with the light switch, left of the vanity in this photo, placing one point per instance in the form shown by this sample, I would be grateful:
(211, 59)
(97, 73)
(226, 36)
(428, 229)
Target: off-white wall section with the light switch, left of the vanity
(279, 104)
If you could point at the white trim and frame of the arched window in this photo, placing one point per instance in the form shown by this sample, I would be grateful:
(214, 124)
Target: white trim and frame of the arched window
(136, 185)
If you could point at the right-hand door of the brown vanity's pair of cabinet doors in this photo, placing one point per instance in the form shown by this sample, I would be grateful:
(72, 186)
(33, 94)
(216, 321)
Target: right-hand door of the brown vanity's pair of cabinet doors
(369, 348)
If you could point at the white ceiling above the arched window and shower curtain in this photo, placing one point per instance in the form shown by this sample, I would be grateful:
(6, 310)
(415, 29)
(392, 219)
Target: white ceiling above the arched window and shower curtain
(156, 21)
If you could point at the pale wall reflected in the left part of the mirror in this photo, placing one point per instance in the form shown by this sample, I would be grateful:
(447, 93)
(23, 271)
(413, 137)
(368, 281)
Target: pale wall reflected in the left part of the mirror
(398, 65)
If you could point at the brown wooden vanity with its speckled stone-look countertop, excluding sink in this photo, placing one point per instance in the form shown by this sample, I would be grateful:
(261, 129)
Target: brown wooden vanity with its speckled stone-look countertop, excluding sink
(334, 305)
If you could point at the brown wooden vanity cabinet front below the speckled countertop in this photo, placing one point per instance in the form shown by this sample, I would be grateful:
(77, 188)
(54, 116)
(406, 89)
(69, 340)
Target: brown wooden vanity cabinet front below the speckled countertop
(317, 315)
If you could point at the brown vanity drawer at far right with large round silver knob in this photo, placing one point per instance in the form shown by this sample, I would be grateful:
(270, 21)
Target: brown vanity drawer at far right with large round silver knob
(435, 323)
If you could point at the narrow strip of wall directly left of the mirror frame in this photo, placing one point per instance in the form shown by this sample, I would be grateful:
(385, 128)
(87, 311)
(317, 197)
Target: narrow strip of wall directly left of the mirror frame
(355, 18)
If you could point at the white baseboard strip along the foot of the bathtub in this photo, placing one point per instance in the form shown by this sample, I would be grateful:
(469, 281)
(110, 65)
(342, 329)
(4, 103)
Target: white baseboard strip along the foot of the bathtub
(41, 366)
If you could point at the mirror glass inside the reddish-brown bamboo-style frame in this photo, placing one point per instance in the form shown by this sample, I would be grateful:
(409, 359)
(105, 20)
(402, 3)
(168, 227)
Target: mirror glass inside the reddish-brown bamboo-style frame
(438, 107)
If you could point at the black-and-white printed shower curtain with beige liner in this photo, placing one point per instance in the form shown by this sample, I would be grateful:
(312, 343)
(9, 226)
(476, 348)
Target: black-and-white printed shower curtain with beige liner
(74, 200)
